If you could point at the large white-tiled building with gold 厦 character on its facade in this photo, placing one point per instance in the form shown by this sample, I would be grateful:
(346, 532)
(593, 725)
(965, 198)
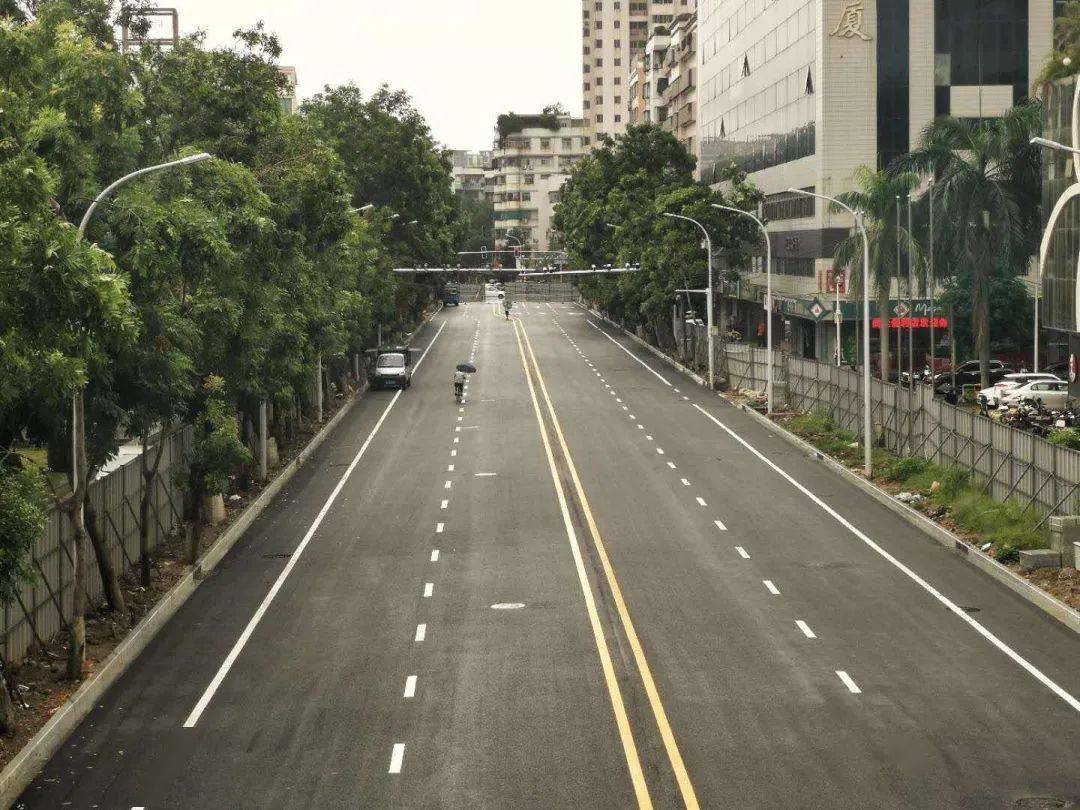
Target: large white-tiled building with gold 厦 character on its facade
(801, 93)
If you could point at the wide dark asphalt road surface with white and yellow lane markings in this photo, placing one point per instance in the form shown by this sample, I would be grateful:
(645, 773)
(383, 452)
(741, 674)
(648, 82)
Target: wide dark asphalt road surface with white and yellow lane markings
(590, 585)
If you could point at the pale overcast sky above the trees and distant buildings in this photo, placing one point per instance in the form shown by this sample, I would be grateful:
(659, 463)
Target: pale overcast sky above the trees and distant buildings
(464, 62)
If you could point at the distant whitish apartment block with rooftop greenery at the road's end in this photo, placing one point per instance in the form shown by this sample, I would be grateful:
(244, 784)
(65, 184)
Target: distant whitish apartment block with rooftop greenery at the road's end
(532, 159)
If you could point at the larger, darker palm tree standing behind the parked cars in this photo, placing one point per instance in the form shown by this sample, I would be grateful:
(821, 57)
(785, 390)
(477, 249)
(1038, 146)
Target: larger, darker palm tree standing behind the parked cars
(987, 201)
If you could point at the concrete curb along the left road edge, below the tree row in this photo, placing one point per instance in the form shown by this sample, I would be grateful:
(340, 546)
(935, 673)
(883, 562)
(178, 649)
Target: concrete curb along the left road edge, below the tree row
(29, 763)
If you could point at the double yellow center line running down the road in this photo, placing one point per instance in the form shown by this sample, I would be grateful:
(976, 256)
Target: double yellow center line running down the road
(623, 722)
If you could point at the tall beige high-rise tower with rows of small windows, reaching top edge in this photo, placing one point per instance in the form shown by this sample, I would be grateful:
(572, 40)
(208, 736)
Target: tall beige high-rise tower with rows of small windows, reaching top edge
(613, 34)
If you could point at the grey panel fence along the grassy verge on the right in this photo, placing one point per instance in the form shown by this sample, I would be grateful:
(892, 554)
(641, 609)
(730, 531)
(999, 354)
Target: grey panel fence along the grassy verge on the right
(1010, 464)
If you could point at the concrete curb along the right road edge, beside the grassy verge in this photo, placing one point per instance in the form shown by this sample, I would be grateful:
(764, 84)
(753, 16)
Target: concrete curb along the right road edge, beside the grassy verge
(1037, 597)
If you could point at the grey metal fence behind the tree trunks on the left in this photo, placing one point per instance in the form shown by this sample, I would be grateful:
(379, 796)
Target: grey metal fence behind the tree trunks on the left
(43, 607)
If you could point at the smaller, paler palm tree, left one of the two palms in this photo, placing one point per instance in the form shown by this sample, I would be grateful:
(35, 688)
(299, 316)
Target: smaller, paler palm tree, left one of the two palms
(876, 200)
